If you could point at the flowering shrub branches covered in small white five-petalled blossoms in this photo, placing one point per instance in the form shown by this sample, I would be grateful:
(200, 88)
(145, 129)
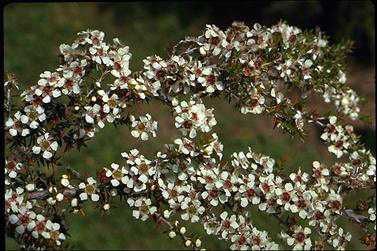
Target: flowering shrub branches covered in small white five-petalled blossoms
(190, 181)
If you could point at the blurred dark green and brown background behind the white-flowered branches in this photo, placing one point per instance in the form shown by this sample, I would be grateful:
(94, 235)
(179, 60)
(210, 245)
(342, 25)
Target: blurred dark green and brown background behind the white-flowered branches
(33, 32)
